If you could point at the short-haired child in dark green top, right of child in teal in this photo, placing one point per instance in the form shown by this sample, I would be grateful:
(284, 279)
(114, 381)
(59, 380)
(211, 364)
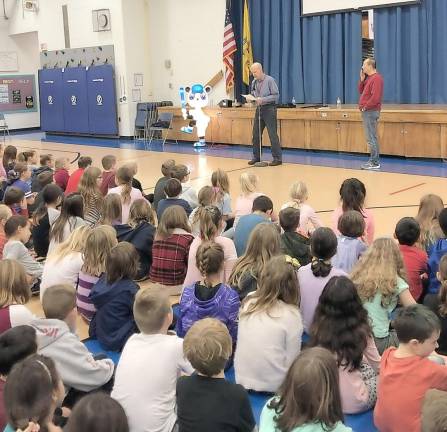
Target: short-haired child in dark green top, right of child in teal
(293, 243)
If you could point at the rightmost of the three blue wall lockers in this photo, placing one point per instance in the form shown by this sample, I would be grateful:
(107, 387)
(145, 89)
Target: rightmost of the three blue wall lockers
(102, 100)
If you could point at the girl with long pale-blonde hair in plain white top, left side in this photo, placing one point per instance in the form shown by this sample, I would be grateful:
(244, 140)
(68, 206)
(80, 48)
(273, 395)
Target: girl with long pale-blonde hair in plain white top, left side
(64, 263)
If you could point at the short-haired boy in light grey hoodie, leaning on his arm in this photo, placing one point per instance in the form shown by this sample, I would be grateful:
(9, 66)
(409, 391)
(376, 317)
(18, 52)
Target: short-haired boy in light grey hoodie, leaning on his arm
(56, 335)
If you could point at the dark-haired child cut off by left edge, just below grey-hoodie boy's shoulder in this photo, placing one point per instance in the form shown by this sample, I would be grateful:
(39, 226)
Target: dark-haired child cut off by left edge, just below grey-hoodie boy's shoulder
(16, 344)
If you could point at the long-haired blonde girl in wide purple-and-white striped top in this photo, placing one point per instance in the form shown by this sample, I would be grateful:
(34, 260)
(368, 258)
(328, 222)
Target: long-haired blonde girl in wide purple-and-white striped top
(99, 242)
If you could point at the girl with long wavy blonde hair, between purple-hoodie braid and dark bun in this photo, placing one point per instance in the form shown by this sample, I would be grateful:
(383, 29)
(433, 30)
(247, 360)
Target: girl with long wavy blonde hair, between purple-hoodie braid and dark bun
(264, 243)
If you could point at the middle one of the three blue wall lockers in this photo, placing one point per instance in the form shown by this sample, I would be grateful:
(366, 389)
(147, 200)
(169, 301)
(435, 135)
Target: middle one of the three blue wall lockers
(75, 100)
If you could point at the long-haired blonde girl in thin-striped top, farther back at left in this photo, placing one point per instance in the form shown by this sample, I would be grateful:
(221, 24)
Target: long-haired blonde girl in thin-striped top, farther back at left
(93, 200)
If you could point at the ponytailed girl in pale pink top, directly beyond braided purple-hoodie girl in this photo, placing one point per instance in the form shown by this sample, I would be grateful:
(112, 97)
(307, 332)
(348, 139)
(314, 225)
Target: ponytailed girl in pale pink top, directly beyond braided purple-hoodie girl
(211, 224)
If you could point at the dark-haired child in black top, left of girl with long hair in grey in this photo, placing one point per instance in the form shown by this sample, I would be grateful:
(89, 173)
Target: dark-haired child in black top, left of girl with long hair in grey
(44, 217)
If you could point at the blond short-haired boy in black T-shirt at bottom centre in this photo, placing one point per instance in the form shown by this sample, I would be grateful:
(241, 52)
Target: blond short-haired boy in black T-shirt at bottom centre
(206, 401)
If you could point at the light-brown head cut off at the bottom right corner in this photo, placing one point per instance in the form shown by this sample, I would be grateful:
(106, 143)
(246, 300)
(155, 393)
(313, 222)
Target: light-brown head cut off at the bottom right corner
(434, 411)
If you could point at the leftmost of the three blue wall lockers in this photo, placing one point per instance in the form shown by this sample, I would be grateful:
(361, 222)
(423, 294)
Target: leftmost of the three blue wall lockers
(51, 106)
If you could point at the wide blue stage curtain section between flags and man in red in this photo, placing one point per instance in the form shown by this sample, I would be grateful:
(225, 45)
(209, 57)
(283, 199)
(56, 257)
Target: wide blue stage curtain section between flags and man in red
(313, 59)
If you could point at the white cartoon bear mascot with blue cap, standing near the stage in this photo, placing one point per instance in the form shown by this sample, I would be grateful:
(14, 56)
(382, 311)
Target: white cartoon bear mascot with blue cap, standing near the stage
(193, 100)
